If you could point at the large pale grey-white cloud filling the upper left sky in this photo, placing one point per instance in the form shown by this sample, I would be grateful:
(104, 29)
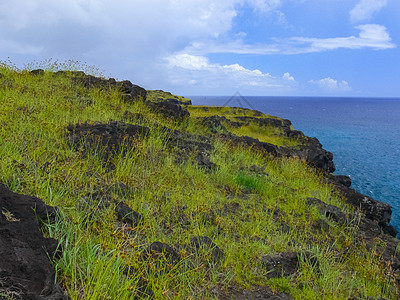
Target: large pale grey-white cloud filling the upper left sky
(145, 27)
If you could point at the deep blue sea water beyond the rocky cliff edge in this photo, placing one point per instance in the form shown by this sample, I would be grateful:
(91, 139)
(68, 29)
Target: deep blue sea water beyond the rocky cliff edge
(362, 133)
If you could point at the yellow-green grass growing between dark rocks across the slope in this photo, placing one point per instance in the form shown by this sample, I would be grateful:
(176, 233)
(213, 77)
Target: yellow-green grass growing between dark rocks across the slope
(233, 204)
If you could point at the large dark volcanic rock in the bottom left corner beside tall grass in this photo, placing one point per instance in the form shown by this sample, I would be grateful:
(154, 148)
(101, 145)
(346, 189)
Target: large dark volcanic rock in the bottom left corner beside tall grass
(25, 270)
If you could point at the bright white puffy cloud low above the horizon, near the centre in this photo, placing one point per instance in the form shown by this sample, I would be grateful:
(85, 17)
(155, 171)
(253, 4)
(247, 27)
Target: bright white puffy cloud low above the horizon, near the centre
(199, 71)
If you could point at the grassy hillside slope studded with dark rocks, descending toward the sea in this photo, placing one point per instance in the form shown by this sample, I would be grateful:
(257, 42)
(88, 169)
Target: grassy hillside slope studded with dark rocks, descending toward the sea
(157, 198)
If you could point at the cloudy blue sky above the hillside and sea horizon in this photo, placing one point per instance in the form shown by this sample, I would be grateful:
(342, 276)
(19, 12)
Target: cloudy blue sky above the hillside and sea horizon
(207, 47)
